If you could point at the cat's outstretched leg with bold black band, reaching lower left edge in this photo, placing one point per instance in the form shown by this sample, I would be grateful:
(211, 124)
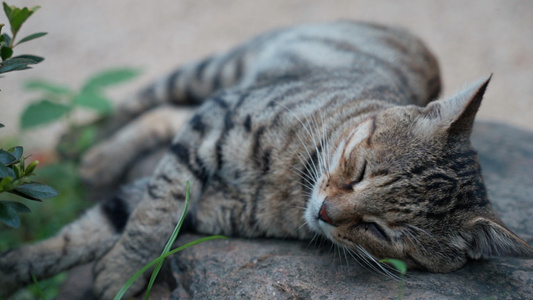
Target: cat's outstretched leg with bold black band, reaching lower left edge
(82, 241)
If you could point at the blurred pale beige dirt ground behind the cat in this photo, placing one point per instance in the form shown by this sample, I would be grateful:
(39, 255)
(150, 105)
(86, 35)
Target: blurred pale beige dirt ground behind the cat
(470, 38)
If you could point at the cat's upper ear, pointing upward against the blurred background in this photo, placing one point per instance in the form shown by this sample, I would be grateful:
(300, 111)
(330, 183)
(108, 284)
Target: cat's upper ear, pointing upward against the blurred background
(457, 113)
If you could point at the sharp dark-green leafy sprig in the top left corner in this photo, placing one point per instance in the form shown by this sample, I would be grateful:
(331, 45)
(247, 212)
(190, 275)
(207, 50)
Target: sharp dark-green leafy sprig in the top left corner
(16, 17)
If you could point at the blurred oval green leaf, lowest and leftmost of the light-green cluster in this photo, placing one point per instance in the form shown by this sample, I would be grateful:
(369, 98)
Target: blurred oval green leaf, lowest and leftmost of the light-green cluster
(42, 112)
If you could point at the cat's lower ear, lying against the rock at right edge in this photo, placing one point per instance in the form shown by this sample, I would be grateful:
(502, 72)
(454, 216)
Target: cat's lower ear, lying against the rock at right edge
(491, 239)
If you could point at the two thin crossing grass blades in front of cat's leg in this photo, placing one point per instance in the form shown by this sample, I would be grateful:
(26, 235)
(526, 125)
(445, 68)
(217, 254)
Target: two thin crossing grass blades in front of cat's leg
(158, 262)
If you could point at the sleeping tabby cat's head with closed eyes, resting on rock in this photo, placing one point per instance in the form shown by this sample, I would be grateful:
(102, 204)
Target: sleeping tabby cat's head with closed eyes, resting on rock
(407, 184)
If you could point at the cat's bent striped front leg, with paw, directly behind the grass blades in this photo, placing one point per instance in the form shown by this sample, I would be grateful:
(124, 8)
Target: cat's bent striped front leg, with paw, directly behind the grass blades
(148, 228)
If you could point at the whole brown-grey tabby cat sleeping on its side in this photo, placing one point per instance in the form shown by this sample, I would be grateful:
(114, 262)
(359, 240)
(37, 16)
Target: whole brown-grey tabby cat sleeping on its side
(324, 129)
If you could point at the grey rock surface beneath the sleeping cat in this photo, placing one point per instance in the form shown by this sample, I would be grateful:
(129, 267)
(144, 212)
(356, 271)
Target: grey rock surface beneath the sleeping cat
(279, 269)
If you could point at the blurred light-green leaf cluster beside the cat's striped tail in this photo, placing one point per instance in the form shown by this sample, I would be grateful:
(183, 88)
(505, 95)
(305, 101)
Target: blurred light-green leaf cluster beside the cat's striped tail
(58, 101)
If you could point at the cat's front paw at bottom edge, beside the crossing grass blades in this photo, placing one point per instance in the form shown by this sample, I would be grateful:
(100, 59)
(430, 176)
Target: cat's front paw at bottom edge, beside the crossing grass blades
(111, 273)
